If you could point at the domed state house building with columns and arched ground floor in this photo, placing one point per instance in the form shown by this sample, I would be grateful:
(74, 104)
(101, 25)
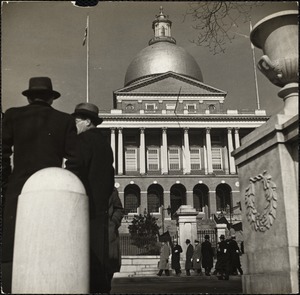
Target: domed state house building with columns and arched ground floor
(171, 136)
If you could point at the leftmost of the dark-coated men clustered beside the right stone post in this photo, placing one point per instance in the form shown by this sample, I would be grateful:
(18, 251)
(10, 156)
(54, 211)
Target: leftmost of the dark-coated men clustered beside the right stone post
(222, 264)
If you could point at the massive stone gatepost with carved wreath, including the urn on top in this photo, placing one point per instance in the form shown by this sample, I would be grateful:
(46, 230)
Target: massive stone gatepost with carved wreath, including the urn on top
(267, 162)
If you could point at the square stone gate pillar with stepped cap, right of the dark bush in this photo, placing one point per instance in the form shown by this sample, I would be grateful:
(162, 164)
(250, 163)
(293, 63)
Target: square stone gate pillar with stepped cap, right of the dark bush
(187, 220)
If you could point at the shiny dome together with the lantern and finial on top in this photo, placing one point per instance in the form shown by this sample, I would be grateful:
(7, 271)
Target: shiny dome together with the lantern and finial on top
(162, 55)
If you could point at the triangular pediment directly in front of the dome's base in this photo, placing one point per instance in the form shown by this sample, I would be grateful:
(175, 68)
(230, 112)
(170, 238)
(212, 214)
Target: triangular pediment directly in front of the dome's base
(170, 83)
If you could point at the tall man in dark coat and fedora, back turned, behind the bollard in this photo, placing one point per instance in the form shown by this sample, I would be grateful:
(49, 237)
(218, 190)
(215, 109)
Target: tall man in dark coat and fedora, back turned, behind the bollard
(36, 136)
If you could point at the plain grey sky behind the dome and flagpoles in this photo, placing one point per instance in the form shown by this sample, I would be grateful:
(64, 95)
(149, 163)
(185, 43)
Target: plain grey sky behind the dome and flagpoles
(44, 38)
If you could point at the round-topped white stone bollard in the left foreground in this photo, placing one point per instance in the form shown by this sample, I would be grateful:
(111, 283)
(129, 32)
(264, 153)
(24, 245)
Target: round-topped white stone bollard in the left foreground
(51, 252)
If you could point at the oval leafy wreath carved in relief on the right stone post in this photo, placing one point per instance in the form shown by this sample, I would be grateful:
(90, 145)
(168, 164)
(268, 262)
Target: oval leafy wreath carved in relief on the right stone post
(261, 221)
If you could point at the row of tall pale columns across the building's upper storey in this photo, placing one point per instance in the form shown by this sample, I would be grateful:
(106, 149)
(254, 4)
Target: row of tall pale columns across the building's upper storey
(229, 164)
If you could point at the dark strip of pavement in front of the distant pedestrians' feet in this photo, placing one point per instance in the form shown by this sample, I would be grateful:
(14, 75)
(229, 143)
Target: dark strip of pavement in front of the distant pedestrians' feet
(176, 285)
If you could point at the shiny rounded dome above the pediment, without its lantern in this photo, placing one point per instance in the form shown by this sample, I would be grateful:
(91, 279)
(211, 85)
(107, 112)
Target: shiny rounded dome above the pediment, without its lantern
(162, 57)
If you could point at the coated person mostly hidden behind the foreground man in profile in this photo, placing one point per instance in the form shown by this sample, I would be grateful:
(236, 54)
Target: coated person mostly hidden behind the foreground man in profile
(115, 214)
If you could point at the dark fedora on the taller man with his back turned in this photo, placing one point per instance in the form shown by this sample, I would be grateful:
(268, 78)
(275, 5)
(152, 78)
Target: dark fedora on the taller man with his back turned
(41, 87)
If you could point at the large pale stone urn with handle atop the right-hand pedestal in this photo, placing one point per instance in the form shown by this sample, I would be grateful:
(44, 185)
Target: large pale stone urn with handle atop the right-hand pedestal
(277, 36)
